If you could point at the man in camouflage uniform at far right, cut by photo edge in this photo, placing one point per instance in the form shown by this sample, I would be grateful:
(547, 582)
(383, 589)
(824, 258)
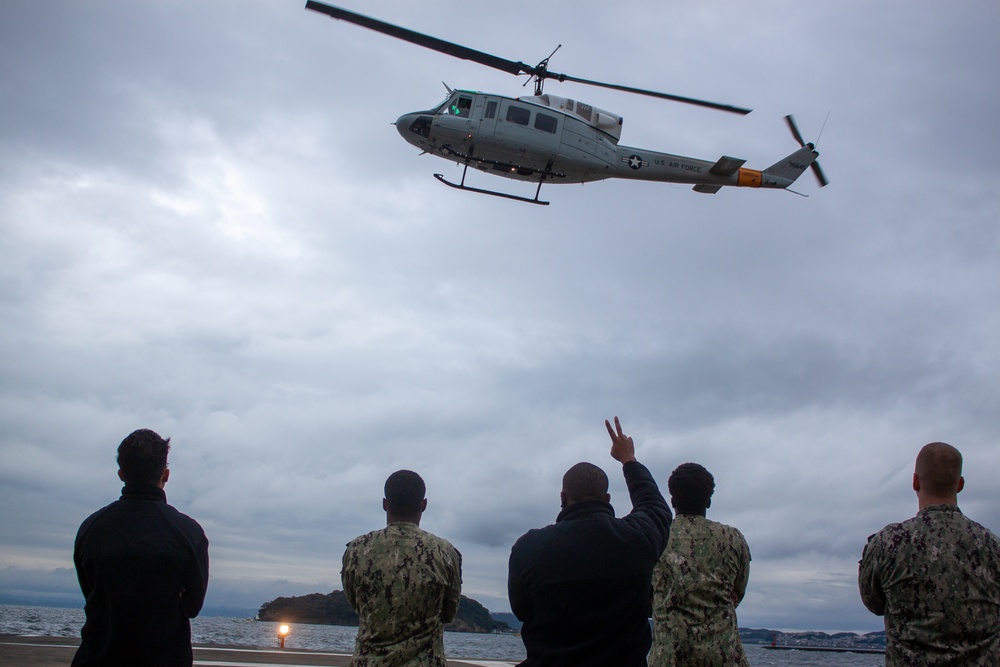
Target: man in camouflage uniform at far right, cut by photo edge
(935, 577)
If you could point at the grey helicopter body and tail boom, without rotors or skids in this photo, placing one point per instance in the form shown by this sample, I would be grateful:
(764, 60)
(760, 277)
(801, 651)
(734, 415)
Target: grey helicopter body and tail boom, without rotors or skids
(558, 140)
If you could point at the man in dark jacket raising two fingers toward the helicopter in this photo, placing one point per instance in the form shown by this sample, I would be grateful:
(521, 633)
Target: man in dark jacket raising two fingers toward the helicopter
(581, 586)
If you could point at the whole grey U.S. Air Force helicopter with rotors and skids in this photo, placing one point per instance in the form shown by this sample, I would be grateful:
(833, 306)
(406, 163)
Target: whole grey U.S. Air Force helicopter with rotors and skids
(544, 138)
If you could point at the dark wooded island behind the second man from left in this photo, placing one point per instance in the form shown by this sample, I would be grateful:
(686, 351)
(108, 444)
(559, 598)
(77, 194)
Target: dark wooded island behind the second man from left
(334, 609)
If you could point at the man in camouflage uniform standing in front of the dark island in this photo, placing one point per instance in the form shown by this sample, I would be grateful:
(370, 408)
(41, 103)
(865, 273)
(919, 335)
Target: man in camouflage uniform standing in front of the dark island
(403, 582)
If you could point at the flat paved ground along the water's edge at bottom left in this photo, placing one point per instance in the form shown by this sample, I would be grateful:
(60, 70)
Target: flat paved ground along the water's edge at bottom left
(48, 651)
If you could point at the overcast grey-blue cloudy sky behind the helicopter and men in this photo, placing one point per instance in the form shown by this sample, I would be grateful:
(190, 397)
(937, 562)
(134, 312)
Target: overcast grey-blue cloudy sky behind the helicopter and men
(209, 227)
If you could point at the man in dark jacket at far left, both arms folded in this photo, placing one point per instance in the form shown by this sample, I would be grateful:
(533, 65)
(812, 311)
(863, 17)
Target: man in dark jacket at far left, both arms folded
(142, 566)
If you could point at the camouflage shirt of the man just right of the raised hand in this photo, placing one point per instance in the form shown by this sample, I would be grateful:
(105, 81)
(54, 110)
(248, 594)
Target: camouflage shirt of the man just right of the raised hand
(701, 577)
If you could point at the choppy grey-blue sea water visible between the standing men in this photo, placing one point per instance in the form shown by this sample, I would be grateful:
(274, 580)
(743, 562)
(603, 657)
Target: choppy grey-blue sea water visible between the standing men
(59, 622)
